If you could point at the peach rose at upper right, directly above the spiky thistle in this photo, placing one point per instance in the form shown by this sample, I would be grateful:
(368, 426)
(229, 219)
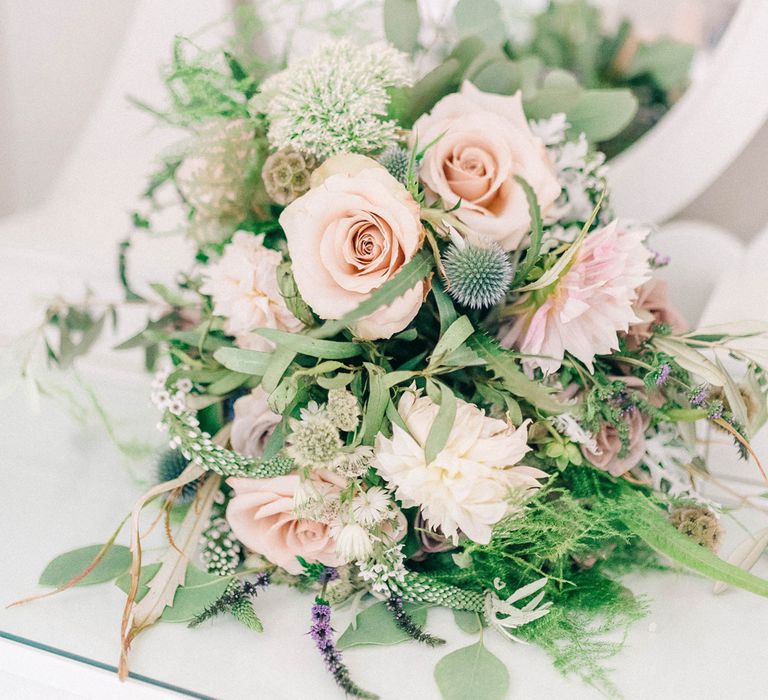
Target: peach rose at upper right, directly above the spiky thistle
(481, 142)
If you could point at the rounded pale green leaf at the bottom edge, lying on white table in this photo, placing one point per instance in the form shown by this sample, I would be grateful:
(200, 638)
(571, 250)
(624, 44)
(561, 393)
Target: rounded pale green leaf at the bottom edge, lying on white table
(471, 673)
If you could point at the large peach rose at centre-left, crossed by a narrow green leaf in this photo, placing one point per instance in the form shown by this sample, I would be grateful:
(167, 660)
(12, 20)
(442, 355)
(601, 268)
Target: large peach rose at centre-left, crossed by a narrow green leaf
(348, 235)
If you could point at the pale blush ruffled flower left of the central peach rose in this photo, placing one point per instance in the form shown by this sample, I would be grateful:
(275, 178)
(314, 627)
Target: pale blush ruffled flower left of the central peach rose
(245, 292)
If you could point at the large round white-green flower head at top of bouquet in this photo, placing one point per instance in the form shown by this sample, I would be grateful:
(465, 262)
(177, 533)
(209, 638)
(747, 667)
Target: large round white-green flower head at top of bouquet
(335, 100)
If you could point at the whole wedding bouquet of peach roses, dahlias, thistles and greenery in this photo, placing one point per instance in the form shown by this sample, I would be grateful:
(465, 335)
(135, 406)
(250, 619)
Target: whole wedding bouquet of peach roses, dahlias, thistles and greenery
(417, 362)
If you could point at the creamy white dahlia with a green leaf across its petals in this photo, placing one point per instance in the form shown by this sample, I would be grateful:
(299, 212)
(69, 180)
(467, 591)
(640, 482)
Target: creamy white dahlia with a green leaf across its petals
(472, 483)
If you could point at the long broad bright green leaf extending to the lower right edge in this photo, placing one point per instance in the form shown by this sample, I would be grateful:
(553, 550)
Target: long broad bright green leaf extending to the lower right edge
(649, 523)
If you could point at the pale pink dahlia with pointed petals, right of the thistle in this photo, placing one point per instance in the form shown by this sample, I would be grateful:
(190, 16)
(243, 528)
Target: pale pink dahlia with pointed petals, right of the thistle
(590, 303)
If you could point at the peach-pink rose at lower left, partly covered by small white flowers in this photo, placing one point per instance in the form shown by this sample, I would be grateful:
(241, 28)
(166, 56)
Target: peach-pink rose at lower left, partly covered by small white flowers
(262, 518)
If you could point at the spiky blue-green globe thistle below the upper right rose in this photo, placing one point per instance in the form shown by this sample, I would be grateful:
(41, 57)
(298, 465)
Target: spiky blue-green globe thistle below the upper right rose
(478, 278)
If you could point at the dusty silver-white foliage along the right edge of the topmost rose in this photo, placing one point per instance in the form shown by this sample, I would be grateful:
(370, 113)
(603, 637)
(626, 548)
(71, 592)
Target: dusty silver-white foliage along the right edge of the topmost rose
(581, 173)
